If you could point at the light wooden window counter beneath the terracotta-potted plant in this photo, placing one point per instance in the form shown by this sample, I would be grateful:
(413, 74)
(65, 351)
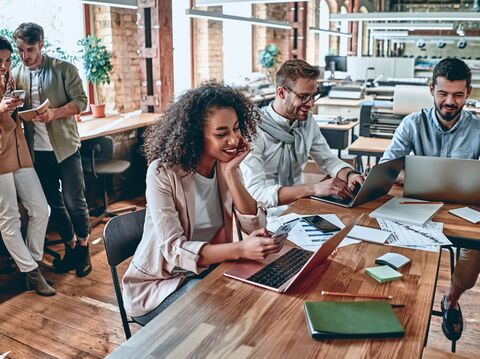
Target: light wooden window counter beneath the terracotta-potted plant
(91, 128)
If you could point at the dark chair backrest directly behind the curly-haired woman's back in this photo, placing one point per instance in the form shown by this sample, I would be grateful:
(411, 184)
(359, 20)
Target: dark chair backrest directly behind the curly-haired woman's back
(121, 236)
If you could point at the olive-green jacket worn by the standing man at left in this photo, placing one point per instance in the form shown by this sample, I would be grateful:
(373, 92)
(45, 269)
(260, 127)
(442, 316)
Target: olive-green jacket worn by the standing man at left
(60, 83)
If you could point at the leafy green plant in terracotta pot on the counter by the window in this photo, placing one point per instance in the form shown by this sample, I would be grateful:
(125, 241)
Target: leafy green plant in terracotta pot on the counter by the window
(97, 66)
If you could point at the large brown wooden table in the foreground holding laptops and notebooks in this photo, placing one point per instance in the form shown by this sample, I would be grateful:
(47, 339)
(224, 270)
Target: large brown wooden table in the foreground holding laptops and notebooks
(225, 318)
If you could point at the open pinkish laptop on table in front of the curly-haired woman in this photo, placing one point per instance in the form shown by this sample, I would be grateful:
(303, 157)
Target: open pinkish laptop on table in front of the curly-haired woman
(282, 270)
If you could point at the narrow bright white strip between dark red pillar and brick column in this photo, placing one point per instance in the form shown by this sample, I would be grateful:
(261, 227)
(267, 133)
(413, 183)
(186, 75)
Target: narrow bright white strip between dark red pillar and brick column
(182, 73)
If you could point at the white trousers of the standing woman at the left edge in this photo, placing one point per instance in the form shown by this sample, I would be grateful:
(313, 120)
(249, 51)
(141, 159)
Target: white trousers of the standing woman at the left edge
(24, 183)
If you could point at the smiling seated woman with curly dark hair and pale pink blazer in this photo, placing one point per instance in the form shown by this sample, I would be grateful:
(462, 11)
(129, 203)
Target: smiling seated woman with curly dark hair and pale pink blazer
(194, 189)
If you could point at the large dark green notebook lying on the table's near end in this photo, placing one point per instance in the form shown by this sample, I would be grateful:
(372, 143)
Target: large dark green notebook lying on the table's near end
(349, 320)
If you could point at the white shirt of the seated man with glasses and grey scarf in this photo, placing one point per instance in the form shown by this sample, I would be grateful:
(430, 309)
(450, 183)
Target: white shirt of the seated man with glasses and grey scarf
(260, 167)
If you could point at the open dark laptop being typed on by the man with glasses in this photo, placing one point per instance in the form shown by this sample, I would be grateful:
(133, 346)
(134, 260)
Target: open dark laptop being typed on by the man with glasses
(378, 182)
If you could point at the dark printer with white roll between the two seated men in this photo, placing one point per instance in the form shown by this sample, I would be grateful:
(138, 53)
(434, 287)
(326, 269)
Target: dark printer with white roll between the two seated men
(381, 118)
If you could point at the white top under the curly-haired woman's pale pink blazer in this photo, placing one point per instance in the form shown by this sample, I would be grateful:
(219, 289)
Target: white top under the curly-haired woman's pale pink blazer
(208, 208)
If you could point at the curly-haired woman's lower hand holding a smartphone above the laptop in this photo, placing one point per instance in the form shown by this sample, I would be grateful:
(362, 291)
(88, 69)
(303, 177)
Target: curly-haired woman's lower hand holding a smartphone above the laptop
(259, 244)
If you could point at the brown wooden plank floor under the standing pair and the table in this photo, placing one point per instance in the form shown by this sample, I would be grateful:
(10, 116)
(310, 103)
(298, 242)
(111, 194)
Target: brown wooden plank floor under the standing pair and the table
(82, 320)
